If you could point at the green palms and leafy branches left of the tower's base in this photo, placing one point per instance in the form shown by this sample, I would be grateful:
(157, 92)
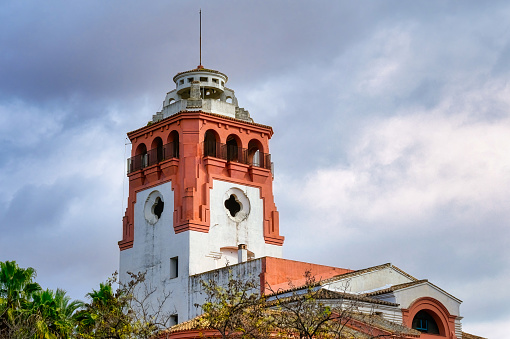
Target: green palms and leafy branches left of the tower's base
(28, 312)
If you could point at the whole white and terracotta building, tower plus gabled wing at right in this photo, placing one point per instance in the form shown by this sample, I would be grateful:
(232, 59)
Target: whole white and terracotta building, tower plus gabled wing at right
(201, 199)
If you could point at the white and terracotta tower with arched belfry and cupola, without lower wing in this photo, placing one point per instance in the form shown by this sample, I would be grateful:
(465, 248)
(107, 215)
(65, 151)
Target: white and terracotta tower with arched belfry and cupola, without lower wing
(200, 186)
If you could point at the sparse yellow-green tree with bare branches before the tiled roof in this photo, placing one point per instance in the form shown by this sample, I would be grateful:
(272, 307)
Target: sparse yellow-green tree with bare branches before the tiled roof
(237, 310)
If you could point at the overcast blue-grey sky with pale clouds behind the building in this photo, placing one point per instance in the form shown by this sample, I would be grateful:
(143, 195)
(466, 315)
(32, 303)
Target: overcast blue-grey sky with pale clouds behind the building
(391, 121)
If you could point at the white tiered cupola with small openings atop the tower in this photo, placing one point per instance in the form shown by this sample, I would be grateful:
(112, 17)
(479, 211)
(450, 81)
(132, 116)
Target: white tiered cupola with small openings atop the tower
(204, 90)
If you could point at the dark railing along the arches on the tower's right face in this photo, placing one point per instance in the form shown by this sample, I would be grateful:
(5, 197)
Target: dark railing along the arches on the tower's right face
(233, 153)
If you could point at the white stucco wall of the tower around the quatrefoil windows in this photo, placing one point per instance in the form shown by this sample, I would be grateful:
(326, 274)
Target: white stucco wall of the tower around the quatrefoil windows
(155, 244)
